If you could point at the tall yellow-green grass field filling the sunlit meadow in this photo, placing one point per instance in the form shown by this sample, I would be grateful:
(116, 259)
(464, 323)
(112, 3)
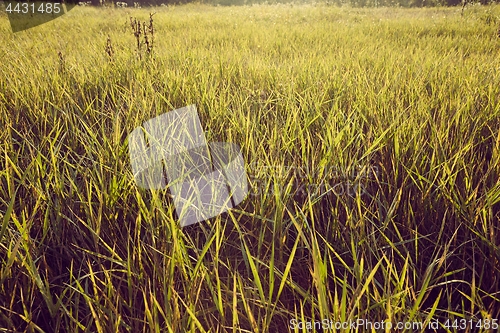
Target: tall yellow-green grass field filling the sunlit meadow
(372, 144)
